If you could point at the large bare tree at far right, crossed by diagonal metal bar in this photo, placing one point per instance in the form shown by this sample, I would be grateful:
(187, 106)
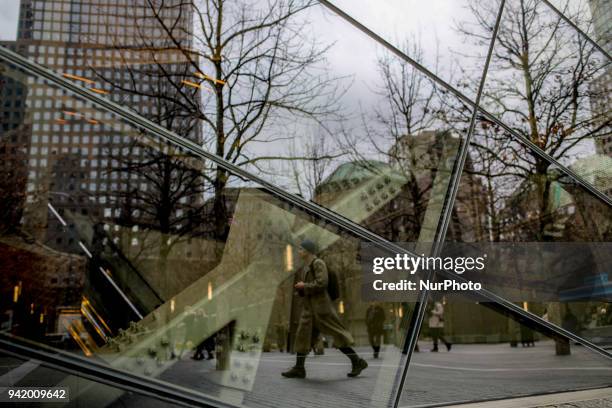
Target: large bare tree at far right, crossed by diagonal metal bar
(540, 83)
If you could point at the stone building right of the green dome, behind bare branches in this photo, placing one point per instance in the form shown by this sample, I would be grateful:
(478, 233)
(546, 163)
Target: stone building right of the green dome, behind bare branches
(427, 160)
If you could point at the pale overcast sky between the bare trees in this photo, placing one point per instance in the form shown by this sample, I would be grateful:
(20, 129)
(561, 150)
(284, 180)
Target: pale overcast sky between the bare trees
(432, 24)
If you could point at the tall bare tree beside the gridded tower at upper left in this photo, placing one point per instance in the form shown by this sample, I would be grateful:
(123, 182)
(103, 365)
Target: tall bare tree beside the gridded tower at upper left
(254, 64)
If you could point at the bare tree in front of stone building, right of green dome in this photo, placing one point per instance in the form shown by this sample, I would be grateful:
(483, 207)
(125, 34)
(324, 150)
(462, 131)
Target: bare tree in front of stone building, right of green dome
(411, 130)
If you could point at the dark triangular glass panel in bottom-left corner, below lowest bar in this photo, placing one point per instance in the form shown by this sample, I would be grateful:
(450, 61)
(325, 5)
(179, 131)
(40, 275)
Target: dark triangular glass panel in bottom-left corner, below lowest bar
(30, 373)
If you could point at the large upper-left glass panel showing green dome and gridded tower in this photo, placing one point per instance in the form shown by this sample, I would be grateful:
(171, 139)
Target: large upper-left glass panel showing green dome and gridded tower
(363, 134)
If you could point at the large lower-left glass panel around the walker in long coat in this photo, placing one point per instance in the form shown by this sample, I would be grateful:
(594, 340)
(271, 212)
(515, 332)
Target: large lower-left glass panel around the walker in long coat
(124, 249)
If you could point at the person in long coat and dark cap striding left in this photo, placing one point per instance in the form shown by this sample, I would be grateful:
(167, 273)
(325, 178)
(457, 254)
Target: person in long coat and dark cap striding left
(319, 315)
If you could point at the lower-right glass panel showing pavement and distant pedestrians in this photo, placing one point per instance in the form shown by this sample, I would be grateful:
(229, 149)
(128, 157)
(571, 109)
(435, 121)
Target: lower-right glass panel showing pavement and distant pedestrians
(484, 354)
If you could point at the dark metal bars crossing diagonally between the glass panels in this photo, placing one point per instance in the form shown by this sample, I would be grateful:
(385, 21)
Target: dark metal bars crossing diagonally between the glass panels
(163, 391)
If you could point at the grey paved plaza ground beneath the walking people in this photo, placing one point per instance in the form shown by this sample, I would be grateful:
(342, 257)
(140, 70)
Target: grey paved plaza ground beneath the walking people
(467, 373)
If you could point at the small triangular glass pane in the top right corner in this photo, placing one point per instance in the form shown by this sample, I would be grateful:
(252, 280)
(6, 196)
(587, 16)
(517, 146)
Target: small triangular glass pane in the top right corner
(591, 16)
